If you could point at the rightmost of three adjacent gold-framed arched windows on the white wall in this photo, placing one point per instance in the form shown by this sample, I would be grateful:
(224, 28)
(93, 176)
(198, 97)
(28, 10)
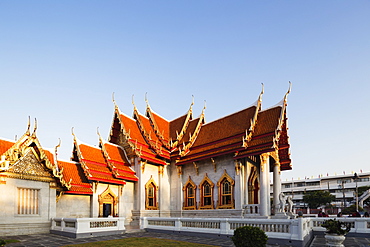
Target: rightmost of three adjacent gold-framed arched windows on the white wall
(225, 191)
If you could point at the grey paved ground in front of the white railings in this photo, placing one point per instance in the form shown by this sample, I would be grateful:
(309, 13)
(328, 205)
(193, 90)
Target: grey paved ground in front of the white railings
(51, 240)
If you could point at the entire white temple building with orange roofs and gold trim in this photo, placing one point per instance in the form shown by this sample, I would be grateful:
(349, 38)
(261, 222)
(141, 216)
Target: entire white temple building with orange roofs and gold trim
(149, 166)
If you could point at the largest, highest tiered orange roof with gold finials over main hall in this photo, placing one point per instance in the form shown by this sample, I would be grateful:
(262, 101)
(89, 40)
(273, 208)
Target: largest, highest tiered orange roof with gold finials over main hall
(249, 132)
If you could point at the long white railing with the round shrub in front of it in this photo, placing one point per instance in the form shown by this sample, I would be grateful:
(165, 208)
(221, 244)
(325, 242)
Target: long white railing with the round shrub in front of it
(295, 229)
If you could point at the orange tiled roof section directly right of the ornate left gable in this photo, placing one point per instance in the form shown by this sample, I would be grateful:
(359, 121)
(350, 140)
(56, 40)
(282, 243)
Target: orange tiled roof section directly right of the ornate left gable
(73, 172)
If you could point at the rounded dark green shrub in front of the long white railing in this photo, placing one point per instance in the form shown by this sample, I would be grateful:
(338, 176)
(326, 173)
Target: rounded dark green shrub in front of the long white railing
(249, 236)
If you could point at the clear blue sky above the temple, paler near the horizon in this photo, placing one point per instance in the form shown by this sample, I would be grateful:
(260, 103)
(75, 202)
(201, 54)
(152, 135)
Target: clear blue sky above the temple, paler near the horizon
(60, 62)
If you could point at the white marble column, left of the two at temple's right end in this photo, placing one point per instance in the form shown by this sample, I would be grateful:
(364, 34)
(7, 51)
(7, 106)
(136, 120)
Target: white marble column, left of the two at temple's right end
(264, 184)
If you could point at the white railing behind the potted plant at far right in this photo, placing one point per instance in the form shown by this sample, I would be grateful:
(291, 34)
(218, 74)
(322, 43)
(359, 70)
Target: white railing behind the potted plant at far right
(358, 225)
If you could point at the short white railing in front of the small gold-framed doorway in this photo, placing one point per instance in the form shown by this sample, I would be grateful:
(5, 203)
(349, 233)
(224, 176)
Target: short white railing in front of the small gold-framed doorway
(87, 225)
